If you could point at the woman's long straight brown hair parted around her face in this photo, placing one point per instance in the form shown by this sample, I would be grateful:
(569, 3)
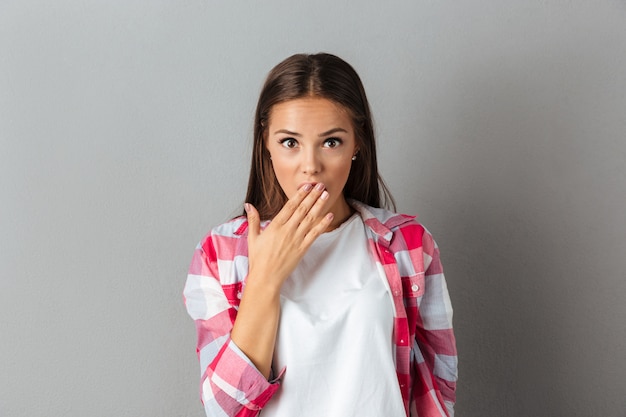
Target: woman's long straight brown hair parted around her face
(325, 76)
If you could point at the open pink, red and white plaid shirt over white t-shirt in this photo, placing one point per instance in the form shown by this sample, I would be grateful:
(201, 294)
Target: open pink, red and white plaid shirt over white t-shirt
(424, 344)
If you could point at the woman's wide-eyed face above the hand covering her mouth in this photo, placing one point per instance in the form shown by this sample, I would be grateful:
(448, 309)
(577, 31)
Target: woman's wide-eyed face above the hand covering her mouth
(311, 140)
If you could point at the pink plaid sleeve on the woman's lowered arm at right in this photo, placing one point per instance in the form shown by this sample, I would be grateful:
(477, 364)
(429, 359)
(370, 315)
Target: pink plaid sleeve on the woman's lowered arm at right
(434, 332)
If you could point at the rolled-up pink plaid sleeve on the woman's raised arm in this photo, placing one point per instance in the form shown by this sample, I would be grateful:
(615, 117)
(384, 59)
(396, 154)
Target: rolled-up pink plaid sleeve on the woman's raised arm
(230, 384)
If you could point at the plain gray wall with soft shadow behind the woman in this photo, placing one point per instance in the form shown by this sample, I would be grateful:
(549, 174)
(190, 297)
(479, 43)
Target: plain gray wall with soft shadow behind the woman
(125, 132)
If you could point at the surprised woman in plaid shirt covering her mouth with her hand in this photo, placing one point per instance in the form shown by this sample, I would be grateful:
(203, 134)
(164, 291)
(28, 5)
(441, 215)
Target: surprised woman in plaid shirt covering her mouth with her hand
(317, 301)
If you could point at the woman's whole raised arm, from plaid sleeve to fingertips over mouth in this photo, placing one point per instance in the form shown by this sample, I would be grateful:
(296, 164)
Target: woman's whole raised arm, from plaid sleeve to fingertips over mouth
(236, 346)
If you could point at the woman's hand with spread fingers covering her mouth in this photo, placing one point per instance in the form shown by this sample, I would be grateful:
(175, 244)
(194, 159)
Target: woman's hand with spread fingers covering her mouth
(275, 252)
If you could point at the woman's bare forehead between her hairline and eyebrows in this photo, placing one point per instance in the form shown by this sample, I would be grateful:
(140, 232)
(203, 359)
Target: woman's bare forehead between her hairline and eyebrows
(309, 111)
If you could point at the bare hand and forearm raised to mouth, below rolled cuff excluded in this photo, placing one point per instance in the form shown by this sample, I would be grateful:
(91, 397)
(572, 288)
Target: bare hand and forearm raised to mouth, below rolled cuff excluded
(273, 254)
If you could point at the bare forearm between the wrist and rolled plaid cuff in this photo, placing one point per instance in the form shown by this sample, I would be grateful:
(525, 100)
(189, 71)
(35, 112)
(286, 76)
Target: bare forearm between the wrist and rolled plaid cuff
(256, 325)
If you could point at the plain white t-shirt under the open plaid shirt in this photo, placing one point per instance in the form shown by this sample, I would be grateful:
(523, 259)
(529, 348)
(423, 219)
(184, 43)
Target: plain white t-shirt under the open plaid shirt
(335, 333)
